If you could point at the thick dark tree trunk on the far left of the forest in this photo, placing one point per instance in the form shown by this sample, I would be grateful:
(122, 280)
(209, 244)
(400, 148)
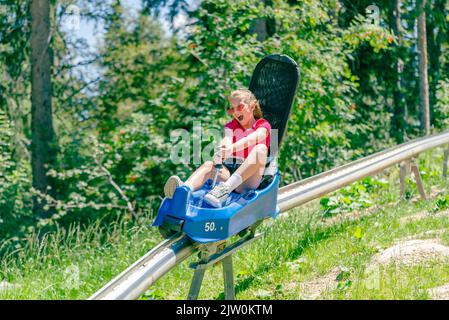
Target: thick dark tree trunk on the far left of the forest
(42, 144)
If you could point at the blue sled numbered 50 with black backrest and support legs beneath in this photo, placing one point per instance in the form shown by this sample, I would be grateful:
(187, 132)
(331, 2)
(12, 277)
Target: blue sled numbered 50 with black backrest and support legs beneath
(274, 83)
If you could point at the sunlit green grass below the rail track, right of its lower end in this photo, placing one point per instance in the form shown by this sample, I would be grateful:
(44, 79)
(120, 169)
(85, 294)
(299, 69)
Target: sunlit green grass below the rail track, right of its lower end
(293, 252)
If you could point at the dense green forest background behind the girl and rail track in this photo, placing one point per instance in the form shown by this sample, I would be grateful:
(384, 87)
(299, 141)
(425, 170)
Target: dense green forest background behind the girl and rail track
(85, 129)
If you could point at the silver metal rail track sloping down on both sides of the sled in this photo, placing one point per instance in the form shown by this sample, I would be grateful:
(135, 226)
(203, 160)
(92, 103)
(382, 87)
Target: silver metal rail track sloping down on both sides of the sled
(135, 280)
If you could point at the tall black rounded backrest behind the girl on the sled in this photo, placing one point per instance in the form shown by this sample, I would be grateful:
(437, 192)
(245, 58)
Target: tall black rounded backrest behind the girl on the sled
(274, 83)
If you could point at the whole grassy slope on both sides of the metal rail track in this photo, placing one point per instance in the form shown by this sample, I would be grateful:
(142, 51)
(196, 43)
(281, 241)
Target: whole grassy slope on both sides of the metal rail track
(296, 248)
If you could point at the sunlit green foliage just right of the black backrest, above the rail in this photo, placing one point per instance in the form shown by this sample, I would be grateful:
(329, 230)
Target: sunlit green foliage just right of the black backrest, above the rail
(323, 124)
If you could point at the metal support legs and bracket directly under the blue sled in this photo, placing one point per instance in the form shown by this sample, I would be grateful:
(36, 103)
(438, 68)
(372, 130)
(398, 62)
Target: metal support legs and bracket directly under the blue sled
(214, 253)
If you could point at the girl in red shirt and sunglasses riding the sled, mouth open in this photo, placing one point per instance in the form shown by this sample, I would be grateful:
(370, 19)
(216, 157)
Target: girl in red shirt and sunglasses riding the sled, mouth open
(243, 152)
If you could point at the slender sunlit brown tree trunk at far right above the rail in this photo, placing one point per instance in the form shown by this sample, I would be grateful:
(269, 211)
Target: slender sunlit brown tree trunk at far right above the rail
(423, 67)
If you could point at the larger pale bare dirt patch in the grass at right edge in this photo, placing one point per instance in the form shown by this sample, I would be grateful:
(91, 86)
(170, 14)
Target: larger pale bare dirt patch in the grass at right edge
(412, 252)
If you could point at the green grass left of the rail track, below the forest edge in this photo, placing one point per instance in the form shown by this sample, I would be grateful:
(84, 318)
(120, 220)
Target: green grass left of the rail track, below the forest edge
(75, 263)
